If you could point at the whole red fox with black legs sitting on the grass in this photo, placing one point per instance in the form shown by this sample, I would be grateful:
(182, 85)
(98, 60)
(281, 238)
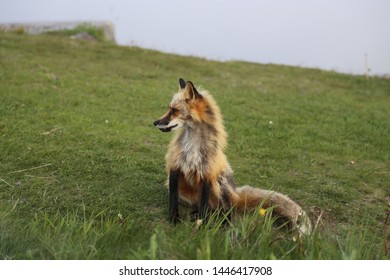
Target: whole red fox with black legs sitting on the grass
(198, 171)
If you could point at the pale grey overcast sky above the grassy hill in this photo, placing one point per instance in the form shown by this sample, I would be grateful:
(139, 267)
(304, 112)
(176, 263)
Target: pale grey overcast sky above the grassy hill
(327, 34)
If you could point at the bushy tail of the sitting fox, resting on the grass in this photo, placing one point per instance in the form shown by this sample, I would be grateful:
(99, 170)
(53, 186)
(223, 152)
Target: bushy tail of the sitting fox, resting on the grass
(250, 198)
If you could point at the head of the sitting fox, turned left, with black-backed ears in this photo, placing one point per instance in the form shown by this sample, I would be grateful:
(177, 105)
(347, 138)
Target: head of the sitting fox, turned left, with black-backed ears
(186, 108)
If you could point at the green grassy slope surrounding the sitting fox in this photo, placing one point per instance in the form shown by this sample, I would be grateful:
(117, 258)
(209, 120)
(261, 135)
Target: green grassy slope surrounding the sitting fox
(82, 167)
